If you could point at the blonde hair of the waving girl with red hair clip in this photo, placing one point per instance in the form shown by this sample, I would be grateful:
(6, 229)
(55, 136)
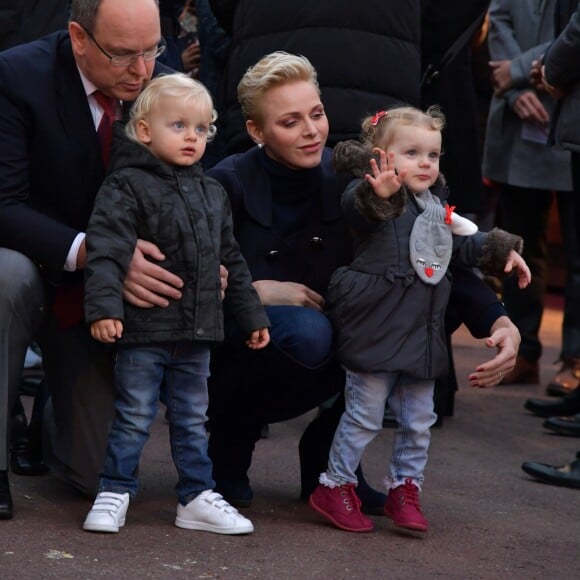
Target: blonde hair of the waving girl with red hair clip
(379, 130)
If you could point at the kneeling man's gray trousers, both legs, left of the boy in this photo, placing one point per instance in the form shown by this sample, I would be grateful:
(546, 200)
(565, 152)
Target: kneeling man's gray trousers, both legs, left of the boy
(78, 370)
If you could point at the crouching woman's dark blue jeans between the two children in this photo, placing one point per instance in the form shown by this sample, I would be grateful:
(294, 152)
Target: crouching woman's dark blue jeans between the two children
(295, 373)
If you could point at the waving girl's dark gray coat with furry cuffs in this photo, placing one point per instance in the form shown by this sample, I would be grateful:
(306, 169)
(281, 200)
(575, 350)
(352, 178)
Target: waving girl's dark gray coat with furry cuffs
(386, 318)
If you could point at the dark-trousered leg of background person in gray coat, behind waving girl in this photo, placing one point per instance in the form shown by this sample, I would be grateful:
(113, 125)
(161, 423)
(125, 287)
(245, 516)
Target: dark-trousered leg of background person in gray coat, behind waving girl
(525, 212)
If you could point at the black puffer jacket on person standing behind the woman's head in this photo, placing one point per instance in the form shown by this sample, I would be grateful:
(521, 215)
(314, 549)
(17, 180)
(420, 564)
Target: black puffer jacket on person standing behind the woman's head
(366, 54)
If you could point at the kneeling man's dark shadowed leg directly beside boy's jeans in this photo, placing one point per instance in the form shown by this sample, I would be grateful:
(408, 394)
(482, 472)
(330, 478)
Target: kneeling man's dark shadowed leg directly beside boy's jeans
(78, 415)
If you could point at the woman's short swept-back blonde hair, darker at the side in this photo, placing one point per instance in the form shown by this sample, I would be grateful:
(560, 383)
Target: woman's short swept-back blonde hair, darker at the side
(272, 70)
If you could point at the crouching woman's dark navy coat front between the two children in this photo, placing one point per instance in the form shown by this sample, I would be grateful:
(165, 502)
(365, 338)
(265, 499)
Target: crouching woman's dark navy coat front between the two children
(309, 254)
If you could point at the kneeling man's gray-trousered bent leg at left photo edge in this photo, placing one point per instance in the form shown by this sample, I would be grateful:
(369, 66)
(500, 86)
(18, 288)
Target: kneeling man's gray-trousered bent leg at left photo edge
(21, 303)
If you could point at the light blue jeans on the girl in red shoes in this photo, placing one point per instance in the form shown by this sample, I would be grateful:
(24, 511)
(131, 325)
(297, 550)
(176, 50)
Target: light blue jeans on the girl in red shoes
(411, 402)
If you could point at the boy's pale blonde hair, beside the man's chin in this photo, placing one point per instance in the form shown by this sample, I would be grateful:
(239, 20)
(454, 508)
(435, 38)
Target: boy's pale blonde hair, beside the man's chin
(169, 85)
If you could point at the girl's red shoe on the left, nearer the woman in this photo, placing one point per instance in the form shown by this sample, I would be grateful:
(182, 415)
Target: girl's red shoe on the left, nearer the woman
(341, 506)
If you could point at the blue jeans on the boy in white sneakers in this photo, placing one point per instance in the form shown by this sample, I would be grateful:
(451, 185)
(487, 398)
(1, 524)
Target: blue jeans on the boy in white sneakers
(183, 369)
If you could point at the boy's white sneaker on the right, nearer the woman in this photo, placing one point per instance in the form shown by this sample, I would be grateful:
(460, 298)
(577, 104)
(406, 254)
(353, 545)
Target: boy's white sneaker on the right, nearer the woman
(210, 512)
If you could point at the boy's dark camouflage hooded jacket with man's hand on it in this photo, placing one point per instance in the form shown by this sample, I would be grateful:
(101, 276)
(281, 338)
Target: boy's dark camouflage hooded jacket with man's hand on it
(188, 216)
